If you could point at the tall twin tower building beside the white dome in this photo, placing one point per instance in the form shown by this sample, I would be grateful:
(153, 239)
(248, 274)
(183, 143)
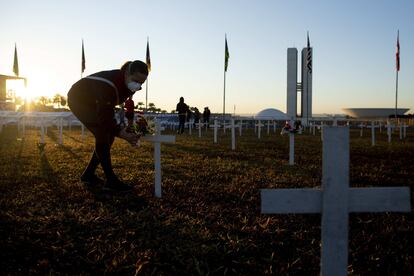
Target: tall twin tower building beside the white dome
(304, 87)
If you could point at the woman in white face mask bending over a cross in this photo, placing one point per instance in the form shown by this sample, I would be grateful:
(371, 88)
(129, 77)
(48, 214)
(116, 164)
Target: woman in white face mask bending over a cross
(93, 99)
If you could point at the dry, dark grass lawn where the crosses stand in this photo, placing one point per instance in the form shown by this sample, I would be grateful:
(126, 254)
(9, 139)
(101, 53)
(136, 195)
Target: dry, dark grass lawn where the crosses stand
(208, 220)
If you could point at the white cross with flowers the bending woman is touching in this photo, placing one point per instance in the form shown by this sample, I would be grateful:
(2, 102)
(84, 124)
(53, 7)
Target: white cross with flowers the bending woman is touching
(157, 139)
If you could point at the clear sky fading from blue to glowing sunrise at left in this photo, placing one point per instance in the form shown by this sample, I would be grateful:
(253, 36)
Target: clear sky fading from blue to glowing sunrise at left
(354, 45)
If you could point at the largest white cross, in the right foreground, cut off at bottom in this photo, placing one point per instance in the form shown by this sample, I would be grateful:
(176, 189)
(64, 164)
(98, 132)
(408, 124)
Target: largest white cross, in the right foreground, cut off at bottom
(335, 200)
